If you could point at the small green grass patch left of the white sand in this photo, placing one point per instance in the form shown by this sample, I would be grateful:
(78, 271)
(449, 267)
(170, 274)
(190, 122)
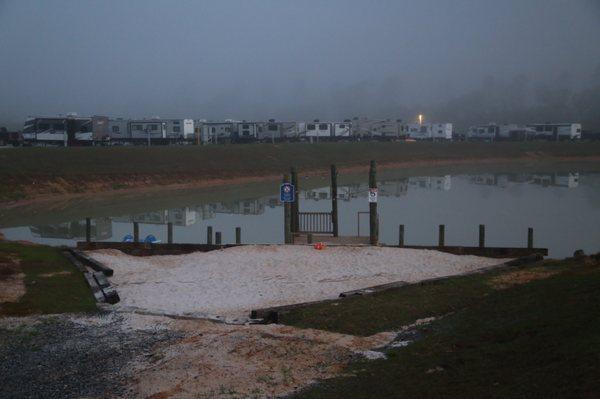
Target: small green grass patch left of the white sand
(52, 284)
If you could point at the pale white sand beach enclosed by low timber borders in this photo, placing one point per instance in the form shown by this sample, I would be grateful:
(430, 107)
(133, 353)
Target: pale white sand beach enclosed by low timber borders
(233, 281)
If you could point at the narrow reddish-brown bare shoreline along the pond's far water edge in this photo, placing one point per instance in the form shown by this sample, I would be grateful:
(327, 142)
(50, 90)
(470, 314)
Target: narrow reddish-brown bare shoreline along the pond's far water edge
(60, 187)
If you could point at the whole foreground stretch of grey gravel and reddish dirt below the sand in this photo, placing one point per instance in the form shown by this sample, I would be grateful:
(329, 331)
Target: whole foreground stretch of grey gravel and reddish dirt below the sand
(119, 354)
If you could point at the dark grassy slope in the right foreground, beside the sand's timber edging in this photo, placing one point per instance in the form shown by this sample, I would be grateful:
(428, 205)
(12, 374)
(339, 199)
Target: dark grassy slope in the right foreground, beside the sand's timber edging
(530, 332)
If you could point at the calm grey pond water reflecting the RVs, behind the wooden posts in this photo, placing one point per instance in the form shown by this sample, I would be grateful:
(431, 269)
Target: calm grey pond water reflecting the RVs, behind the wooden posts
(562, 208)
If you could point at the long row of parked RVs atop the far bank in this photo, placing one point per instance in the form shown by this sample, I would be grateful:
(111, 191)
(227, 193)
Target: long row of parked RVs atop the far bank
(101, 129)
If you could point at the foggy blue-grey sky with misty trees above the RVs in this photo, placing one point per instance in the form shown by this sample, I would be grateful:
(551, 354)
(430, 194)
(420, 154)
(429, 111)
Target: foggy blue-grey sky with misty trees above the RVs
(462, 61)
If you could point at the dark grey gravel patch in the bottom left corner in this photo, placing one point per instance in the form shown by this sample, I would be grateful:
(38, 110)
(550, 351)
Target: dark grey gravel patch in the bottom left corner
(63, 357)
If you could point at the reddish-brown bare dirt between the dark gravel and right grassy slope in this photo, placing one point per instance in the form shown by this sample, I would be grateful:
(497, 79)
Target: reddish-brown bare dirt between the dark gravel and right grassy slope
(232, 361)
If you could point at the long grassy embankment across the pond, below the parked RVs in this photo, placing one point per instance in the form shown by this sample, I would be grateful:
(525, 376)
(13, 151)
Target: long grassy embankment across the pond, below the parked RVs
(31, 172)
